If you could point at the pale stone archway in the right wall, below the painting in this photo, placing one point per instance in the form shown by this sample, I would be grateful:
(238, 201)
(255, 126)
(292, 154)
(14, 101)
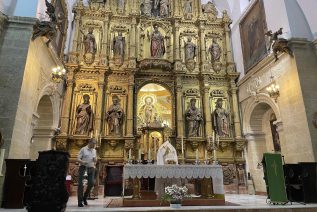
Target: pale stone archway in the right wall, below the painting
(256, 127)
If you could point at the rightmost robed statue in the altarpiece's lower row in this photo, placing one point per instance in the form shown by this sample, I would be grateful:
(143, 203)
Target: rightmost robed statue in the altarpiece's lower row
(221, 119)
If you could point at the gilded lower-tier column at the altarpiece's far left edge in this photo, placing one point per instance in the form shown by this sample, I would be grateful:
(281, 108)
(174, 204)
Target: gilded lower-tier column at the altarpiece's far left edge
(67, 103)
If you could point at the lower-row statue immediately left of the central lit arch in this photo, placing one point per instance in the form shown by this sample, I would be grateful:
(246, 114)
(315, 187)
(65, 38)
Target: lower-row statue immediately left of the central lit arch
(114, 116)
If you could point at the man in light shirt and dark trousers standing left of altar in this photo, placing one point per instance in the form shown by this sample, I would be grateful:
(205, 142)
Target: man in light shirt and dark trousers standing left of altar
(87, 159)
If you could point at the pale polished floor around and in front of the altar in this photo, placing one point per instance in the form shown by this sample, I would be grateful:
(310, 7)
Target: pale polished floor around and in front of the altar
(244, 201)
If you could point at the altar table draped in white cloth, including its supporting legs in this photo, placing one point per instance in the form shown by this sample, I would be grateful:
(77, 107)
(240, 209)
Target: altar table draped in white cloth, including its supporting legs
(204, 172)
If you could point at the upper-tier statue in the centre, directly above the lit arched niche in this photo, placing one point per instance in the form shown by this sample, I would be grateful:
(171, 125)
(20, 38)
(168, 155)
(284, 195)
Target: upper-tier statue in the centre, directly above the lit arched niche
(157, 43)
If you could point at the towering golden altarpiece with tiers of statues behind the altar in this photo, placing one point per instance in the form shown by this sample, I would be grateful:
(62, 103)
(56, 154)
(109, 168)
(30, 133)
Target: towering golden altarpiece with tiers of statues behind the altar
(150, 70)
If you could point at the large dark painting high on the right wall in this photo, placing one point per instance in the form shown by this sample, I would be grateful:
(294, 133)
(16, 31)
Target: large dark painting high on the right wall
(252, 30)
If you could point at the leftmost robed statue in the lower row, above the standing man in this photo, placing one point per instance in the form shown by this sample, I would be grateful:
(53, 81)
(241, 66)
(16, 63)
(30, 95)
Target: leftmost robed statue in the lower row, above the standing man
(84, 117)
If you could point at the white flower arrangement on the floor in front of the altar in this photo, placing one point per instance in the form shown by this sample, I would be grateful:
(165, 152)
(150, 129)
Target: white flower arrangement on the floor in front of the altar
(175, 193)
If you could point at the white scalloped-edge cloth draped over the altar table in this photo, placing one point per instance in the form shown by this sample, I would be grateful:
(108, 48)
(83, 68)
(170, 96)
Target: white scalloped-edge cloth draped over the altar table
(177, 171)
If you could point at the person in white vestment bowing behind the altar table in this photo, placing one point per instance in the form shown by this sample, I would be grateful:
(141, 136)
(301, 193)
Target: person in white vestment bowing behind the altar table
(166, 154)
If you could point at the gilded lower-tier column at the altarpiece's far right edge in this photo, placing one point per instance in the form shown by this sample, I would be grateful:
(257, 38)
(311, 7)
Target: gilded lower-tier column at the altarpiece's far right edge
(235, 108)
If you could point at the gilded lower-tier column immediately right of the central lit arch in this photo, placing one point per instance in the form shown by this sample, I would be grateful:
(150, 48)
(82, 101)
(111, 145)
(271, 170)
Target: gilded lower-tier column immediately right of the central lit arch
(179, 108)
